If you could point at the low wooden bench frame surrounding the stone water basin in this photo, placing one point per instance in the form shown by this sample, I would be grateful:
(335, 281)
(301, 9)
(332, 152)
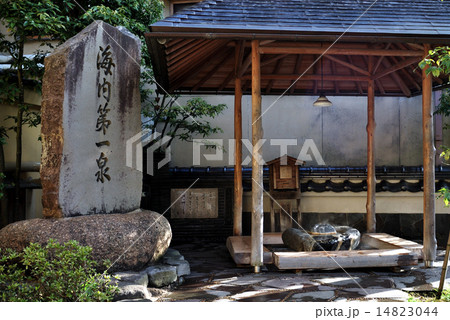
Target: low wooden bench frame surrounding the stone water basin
(389, 251)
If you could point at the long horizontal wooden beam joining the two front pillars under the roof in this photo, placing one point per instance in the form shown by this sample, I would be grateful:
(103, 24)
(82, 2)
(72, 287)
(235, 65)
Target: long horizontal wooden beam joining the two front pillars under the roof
(339, 51)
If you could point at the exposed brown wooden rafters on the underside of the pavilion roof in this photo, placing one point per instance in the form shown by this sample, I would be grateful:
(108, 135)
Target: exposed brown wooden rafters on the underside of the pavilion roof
(394, 60)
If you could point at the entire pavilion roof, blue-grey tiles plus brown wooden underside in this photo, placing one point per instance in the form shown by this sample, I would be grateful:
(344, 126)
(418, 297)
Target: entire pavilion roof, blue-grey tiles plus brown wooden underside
(193, 51)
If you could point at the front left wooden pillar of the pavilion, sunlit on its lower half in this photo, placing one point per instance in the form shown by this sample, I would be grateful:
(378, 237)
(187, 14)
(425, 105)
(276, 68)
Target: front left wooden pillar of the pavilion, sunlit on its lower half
(256, 259)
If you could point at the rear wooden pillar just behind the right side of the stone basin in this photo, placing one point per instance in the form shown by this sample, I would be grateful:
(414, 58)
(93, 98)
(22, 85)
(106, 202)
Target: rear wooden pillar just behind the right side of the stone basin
(371, 179)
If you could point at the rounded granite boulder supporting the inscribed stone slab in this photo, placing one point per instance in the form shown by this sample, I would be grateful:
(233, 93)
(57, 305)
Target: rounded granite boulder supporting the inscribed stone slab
(130, 241)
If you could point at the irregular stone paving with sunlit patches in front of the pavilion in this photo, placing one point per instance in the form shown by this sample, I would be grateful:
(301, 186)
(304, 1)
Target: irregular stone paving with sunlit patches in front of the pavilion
(215, 277)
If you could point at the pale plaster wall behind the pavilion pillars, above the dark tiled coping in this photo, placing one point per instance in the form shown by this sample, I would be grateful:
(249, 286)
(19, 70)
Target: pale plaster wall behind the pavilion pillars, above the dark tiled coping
(338, 132)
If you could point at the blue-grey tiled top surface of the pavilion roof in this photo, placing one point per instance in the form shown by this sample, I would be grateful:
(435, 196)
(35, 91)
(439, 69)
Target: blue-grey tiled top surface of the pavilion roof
(398, 17)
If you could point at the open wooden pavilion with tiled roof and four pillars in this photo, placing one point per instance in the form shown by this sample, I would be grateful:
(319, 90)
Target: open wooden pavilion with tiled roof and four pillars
(305, 47)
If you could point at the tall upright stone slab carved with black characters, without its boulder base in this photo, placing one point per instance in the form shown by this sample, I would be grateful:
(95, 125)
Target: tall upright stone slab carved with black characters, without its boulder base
(90, 108)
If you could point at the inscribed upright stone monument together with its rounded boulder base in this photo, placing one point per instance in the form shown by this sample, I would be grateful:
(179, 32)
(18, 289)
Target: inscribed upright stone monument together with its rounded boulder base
(90, 108)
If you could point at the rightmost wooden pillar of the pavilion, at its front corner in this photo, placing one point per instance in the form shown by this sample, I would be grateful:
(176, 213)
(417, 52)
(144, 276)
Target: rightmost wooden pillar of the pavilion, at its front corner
(429, 229)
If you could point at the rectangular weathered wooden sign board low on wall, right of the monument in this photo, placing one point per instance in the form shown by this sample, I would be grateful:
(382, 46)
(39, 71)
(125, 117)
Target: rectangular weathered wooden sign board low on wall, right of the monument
(194, 203)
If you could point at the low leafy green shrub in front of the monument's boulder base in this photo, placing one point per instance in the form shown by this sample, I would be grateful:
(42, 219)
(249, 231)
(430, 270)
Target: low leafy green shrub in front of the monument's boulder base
(55, 272)
